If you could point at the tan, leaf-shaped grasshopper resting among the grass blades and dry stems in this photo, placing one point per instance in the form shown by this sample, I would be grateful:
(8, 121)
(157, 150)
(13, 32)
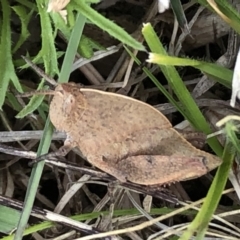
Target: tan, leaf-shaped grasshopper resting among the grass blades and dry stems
(124, 137)
